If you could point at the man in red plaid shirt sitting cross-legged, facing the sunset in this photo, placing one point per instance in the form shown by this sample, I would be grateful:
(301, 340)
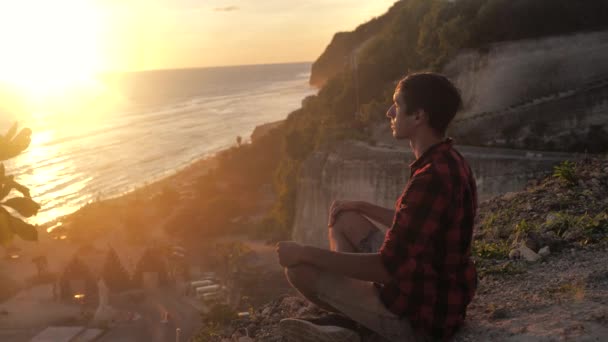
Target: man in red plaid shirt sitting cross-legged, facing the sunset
(414, 282)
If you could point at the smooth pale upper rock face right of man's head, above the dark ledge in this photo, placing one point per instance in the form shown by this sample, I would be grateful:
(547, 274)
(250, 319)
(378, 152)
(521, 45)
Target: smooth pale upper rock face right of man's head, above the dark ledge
(511, 72)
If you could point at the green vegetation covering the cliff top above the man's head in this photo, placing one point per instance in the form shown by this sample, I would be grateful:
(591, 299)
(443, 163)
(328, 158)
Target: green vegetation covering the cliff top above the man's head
(428, 31)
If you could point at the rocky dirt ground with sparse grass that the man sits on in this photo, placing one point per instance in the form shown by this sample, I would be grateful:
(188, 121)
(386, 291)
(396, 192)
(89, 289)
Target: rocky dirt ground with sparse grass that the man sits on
(561, 294)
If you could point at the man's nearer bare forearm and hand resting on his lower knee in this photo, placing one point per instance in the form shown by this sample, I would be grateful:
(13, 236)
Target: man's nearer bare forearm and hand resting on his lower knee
(362, 266)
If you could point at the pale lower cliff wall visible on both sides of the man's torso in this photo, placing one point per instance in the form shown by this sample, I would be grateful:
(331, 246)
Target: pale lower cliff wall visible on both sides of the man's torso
(356, 171)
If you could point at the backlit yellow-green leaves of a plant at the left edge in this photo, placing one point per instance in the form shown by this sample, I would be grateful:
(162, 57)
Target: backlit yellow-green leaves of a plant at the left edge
(11, 145)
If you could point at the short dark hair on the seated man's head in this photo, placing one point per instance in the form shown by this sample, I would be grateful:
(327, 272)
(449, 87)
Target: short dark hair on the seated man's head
(434, 94)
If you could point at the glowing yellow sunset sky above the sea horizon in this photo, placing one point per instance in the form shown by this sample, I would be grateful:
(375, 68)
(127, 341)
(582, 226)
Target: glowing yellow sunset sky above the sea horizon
(158, 34)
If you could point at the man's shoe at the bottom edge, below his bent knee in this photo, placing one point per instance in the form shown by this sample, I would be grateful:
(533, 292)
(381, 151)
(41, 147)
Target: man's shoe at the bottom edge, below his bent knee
(305, 330)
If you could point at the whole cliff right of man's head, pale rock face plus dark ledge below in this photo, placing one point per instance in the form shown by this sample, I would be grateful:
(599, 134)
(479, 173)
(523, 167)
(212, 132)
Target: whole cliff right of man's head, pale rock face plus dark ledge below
(547, 94)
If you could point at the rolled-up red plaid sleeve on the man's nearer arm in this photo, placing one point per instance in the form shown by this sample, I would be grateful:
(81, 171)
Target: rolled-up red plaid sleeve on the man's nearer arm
(417, 218)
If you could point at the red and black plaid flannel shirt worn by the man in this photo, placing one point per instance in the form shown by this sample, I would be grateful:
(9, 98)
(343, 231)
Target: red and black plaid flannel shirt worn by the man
(427, 249)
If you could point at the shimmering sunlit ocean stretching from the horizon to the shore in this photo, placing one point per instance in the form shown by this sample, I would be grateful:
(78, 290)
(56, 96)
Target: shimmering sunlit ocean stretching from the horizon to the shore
(172, 118)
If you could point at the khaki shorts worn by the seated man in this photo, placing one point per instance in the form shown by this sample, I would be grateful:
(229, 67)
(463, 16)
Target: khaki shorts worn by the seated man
(360, 301)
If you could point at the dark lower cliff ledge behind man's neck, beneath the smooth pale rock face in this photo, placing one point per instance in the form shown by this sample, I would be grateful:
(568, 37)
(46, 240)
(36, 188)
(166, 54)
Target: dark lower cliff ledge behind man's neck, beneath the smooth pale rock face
(573, 120)
